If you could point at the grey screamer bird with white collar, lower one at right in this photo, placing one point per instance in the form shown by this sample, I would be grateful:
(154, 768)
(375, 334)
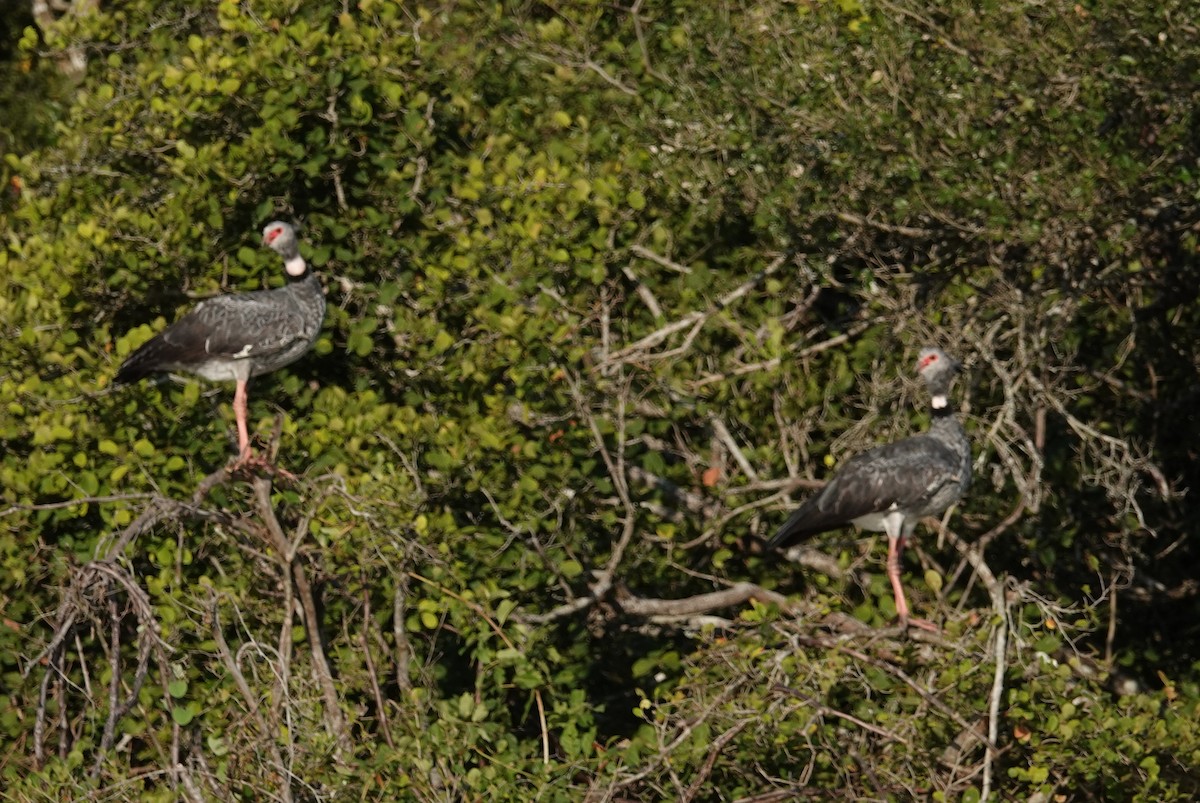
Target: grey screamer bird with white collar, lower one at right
(893, 487)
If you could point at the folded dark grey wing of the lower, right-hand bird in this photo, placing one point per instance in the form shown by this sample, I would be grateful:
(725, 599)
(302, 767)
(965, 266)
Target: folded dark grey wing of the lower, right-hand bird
(904, 476)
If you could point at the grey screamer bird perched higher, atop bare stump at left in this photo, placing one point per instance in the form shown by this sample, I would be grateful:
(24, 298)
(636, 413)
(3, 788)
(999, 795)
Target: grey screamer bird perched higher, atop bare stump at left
(241, 335)
